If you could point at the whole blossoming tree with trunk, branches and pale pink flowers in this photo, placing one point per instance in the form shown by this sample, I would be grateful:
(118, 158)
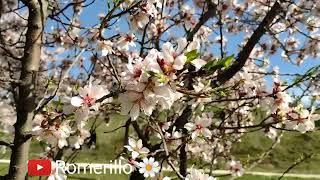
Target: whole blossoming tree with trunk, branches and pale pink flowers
(191, 77)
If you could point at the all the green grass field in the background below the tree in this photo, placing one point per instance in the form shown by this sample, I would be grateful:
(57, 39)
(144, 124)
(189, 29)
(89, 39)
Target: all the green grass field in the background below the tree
(291, 148)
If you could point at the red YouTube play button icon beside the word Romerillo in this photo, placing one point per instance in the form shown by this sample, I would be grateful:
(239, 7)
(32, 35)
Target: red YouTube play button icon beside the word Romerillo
(39, 167)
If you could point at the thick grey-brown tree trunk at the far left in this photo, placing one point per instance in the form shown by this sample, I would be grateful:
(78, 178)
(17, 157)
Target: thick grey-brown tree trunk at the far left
(26, 103)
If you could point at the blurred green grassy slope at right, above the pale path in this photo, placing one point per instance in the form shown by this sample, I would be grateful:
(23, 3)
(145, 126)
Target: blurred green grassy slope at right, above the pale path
(292, 147)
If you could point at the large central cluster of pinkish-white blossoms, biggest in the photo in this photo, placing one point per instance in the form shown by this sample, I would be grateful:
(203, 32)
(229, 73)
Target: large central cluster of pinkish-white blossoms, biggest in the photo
(151, 82)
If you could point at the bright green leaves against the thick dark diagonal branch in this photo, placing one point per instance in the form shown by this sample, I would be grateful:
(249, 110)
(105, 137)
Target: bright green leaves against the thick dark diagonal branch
(212, 66)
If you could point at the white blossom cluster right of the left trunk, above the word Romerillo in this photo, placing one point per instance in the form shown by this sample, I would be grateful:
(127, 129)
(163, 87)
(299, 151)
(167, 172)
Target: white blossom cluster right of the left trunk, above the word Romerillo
(57, 128)
